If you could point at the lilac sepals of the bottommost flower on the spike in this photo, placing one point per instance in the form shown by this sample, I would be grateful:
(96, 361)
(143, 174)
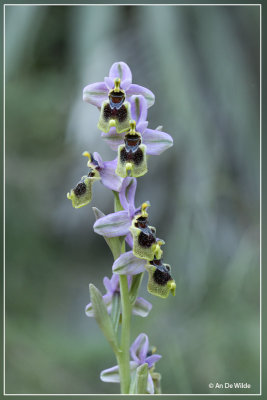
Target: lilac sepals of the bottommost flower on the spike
(140, 354)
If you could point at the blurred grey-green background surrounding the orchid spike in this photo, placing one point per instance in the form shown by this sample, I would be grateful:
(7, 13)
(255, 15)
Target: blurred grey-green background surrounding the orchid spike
(202, 63)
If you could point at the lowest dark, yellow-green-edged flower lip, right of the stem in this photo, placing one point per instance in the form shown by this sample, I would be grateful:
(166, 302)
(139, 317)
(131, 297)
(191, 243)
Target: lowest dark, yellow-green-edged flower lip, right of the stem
(160, 282)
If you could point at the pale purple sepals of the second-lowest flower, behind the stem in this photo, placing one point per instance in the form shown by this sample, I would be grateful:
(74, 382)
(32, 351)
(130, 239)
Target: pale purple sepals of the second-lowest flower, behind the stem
(141, 306)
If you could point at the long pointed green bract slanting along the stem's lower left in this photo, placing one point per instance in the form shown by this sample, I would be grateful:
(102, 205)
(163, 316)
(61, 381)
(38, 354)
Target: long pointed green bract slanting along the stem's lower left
(102, 317)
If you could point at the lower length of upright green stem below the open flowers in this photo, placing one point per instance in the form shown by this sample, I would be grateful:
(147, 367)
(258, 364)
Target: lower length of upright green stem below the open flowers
(124, 354)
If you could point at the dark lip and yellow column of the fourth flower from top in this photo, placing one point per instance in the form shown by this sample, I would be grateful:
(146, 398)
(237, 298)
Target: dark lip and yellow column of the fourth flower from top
(145, 243)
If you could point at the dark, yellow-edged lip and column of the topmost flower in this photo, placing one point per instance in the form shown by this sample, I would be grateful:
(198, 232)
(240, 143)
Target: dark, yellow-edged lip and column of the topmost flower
(115, 111)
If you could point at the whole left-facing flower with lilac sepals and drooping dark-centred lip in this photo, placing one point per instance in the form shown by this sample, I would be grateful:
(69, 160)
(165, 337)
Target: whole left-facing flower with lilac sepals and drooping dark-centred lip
(98, 170)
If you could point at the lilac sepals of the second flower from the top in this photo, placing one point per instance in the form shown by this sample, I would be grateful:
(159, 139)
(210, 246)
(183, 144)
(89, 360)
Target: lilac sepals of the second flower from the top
(155, 140)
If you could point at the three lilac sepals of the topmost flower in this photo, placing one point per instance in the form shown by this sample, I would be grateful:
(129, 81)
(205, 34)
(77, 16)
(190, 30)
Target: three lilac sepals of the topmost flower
(97, 93)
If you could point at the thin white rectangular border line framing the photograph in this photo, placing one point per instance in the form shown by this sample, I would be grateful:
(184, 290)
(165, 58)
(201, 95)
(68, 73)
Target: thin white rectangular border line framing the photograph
(140, 5)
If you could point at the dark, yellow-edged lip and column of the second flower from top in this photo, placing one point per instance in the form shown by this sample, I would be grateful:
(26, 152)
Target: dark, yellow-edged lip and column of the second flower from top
(132, 155)
